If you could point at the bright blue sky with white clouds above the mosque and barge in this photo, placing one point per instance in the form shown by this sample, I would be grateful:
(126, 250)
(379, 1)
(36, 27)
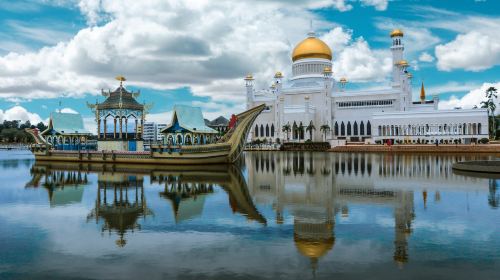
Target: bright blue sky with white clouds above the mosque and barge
(59, 54)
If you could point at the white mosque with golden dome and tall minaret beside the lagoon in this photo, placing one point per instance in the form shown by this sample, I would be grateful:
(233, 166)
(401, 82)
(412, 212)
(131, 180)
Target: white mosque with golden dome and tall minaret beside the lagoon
(313, 96)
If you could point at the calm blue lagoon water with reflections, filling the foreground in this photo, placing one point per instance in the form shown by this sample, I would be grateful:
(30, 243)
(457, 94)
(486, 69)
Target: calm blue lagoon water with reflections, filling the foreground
(276, 215)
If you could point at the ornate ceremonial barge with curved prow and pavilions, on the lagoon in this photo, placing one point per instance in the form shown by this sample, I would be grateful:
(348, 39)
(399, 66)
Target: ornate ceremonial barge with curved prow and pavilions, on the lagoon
(124, 145)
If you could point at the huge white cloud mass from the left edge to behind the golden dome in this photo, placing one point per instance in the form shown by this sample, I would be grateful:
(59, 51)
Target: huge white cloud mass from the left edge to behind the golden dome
(207, 46)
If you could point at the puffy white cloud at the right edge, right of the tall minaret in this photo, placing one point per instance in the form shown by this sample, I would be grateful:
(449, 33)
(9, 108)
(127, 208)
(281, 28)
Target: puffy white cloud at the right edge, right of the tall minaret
(474, 51)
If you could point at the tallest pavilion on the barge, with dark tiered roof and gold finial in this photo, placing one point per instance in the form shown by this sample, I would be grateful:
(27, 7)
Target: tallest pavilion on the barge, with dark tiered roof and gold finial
(120, 119)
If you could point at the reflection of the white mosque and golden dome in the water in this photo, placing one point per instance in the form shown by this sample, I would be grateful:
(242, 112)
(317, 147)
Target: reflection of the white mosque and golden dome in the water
(314, 187)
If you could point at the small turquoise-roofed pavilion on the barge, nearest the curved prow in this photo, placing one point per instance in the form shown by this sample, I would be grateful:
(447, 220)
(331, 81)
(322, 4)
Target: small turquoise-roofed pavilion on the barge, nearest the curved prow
(188, 127)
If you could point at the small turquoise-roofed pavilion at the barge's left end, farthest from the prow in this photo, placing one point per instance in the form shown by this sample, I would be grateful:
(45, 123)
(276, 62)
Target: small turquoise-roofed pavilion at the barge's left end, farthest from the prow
(66, 131)
